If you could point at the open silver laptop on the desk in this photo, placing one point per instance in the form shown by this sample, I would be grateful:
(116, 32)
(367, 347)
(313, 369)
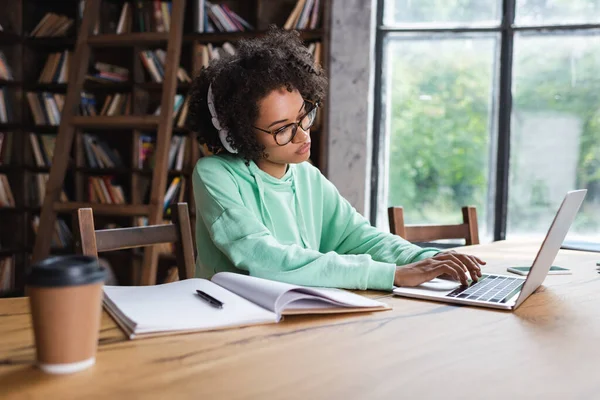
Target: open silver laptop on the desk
(504, 291)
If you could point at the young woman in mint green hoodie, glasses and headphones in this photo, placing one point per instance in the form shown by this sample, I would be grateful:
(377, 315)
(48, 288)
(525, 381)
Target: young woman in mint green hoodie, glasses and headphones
(261, 209)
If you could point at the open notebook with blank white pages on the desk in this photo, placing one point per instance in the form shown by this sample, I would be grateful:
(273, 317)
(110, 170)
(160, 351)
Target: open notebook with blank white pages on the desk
(175, 308)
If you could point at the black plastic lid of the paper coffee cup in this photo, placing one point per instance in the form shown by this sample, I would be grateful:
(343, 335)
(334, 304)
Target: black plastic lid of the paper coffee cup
(66, 270)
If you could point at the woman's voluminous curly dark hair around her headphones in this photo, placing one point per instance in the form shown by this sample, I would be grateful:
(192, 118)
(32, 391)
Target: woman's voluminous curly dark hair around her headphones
(277, 60)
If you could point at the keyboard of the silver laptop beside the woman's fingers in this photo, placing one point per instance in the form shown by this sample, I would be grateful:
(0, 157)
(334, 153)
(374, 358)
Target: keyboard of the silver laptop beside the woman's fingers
(491, 288)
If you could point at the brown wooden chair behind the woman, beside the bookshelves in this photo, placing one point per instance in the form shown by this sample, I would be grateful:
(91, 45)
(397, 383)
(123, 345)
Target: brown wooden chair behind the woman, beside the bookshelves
(91, 241)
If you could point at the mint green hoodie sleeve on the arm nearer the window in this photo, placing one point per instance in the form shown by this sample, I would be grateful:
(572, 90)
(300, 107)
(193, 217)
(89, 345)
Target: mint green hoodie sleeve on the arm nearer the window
(348, 232)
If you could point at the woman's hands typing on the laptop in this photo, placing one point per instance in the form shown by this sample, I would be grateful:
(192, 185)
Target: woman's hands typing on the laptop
(449, 263)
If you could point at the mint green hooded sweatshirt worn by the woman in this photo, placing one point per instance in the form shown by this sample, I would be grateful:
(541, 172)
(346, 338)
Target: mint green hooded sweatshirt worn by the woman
(296, 229)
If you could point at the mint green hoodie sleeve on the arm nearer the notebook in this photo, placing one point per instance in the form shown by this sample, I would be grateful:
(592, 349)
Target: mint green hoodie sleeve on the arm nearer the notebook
(249, 245)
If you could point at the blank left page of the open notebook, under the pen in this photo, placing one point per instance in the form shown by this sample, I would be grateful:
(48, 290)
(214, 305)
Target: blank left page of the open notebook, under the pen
(176, 306)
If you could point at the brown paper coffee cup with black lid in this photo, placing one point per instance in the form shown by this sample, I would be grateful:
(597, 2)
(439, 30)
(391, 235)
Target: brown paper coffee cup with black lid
(65, 295)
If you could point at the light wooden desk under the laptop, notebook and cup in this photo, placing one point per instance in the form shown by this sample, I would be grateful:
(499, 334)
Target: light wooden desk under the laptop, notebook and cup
(548, 348)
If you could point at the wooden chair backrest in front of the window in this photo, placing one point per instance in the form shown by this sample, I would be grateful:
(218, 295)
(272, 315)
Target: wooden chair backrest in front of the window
(468, 230)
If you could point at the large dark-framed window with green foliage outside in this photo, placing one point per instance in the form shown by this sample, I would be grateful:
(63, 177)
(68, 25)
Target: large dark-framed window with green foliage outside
(488, 103)
